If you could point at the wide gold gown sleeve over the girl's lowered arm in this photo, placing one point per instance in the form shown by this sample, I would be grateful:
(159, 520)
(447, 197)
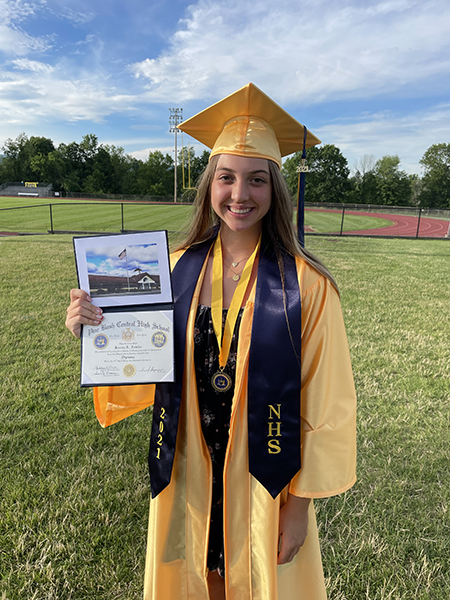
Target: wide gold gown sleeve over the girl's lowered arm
(328, 399)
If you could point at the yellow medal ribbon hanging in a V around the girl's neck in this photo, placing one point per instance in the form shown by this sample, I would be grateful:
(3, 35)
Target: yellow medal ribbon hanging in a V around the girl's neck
(224, 341)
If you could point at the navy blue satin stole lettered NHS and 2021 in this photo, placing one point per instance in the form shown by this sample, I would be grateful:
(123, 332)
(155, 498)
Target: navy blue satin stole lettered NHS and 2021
(274, 373)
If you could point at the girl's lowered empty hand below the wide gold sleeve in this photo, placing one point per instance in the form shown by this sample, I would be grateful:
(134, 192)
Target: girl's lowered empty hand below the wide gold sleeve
(293, 527)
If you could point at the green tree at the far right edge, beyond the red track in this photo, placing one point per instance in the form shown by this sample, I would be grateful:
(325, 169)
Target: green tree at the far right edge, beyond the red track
(436, 180)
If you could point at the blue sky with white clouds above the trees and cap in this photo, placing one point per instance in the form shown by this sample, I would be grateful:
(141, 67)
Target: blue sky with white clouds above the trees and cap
(371, 77)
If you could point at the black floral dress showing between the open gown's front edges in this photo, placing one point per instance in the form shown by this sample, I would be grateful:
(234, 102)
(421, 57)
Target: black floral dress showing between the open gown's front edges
(215, 413)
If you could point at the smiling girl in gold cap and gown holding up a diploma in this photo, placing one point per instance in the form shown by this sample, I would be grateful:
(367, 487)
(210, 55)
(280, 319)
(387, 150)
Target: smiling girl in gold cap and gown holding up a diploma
(261, 418)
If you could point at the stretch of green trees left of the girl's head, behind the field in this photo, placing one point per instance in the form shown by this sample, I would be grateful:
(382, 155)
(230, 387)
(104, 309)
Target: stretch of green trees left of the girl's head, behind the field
(92, 168)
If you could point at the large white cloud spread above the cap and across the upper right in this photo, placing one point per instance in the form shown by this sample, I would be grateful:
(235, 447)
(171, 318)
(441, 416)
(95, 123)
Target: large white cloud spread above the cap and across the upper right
(304, 52)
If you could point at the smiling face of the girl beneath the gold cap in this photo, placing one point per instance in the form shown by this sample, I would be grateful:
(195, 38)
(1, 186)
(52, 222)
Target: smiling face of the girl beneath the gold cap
(241, 192)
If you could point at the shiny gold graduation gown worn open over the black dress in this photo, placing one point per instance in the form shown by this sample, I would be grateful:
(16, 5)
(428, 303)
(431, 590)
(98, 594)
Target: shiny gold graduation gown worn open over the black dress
(179, 515)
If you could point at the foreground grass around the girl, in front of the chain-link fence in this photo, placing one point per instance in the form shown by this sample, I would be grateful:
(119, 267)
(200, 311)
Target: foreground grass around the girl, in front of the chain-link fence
(74, 497)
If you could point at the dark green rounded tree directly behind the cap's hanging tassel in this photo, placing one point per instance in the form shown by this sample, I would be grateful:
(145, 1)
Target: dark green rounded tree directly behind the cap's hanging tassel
(328, 176)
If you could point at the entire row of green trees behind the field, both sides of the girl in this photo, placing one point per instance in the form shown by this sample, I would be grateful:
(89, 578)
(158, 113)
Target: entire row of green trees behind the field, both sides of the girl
(92, 168)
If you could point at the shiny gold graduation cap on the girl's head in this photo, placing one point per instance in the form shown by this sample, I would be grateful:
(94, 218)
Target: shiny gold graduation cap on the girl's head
(248, 123)
